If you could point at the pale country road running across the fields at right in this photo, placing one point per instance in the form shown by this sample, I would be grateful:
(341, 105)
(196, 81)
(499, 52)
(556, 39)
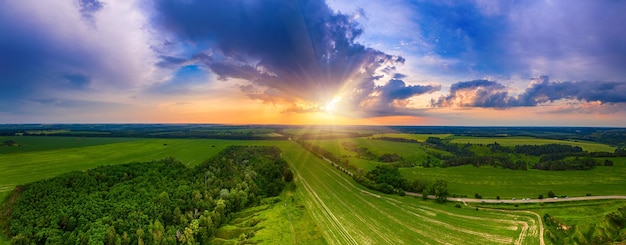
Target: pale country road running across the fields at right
(475, 200)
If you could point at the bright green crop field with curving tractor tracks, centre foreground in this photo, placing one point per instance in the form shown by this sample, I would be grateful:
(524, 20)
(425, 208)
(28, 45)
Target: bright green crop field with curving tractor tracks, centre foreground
(349, 214)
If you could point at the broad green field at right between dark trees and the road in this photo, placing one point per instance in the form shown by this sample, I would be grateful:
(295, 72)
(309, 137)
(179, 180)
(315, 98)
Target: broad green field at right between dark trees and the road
(491, 182)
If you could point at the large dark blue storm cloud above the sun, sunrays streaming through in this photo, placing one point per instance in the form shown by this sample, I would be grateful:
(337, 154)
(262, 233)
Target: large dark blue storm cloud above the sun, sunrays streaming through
(299, 50)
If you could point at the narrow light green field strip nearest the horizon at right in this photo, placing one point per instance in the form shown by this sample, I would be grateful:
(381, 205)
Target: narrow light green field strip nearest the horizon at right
(513, 141)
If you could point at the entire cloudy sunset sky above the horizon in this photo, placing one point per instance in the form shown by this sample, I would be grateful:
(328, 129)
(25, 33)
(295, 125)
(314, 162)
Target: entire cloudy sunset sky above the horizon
(365, 62)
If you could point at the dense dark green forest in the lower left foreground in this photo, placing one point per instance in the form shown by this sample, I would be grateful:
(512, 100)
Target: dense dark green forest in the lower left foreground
(158, 202)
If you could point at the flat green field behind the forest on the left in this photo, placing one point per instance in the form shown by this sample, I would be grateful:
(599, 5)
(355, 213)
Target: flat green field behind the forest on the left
(60, 156)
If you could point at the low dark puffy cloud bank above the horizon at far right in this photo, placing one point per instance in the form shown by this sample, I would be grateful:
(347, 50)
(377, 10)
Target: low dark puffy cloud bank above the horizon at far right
(491, 94)
